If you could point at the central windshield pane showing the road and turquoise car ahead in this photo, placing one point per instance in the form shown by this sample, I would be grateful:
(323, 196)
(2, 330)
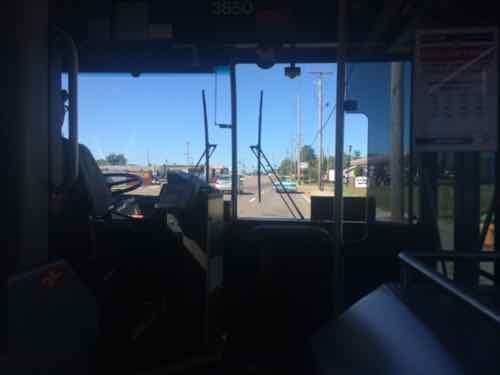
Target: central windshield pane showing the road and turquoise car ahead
(296, 152)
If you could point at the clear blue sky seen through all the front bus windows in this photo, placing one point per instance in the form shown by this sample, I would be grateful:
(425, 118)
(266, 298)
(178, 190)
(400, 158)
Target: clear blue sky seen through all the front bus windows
(159, 113)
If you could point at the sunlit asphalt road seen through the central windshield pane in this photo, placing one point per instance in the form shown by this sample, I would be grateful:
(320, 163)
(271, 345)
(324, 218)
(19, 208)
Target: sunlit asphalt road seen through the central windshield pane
(271, 206)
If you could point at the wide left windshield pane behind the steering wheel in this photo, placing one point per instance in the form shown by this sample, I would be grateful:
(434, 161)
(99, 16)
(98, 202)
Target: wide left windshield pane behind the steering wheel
(153, 123)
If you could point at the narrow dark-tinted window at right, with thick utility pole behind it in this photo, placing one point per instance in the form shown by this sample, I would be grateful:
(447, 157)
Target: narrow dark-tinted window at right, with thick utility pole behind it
(382, 92)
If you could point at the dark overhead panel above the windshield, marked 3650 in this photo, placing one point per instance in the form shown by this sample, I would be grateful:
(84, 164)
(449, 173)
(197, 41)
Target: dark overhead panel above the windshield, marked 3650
(112, 35)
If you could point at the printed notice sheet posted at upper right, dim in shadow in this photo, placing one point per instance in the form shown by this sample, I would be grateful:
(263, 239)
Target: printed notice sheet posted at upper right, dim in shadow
(456, 90)
